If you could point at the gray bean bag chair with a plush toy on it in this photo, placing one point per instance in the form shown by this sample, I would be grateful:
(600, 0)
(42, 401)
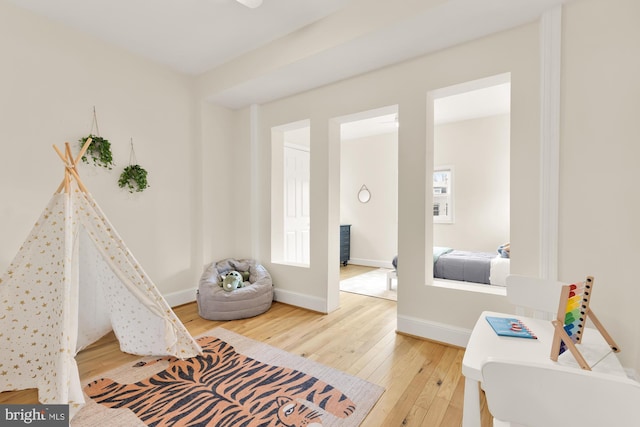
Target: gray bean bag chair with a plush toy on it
(255, 297)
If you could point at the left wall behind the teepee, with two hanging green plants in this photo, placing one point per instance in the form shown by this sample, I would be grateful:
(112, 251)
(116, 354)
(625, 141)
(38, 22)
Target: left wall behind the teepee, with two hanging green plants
(50, 80)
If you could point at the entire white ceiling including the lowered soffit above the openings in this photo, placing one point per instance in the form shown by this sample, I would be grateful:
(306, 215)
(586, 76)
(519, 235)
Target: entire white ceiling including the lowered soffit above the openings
(199, 37)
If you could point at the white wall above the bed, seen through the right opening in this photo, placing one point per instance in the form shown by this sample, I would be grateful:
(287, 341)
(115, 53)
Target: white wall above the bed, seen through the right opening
(478, 151)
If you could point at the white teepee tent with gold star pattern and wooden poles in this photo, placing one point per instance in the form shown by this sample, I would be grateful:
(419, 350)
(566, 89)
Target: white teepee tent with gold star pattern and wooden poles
(72, 281)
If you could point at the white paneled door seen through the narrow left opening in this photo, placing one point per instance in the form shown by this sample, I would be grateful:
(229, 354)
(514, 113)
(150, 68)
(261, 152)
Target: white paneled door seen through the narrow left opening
(296, 205)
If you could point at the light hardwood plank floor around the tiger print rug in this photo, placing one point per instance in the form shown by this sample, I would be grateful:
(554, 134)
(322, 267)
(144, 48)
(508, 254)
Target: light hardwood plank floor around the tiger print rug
(422, 379)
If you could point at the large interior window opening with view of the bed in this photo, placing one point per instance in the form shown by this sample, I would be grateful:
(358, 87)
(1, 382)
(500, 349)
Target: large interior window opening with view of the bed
(470, 185)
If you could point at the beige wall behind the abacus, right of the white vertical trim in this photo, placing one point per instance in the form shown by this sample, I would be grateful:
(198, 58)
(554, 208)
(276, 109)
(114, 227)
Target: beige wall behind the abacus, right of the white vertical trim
(599, 173)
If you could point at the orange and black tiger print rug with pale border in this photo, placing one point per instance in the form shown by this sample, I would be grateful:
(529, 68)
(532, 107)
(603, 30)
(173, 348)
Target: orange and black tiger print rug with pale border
(236, 382)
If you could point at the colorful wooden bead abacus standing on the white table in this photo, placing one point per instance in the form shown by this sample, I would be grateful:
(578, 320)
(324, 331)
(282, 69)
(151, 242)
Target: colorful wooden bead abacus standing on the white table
(573, 312)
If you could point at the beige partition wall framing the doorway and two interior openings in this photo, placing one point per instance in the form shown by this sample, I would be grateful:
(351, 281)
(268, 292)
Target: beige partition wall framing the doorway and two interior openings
(407, 85)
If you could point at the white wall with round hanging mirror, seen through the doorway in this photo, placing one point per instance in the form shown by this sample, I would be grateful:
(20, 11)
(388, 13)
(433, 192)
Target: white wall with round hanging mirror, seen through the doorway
(370, 161)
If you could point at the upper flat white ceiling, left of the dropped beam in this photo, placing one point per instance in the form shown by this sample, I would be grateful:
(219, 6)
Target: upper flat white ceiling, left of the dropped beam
(191, 36)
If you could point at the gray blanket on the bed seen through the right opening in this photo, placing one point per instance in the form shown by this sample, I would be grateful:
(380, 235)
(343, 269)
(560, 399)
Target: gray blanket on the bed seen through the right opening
(464, 266)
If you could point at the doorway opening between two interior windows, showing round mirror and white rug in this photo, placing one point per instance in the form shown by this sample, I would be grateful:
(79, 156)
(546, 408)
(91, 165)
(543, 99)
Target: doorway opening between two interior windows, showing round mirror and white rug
(369, 200)
